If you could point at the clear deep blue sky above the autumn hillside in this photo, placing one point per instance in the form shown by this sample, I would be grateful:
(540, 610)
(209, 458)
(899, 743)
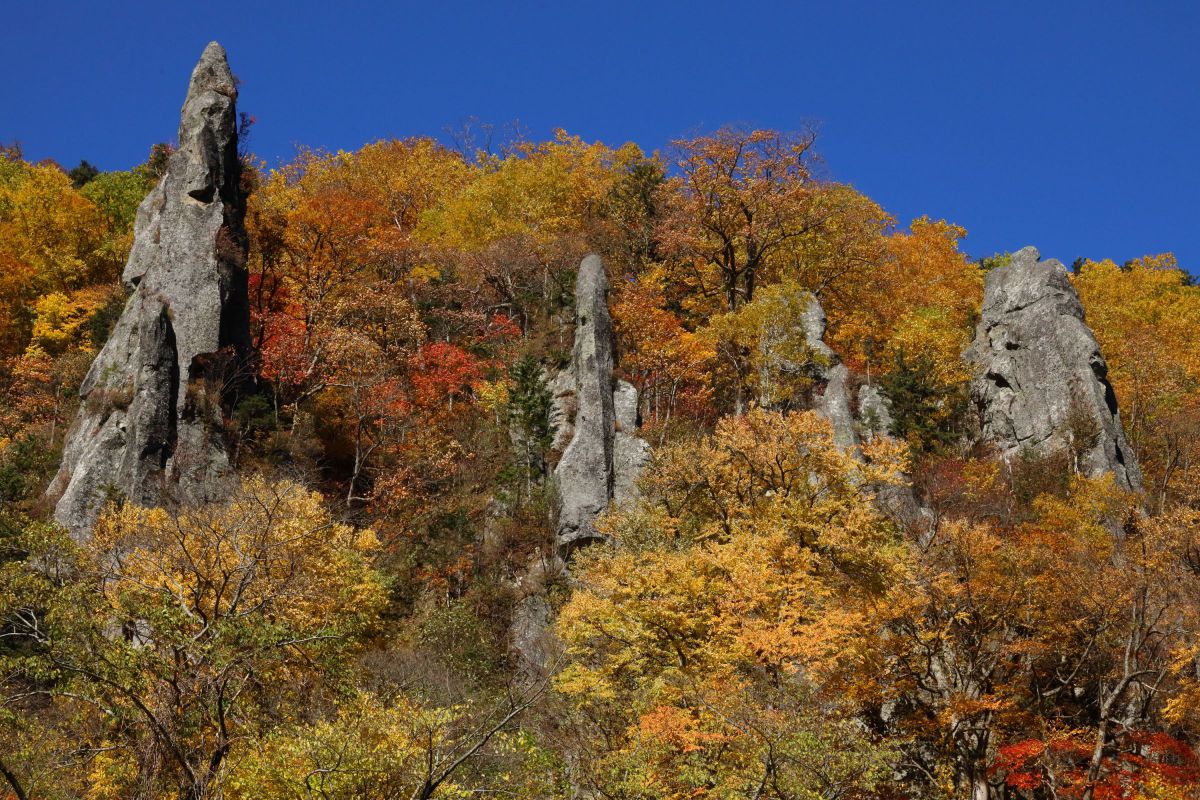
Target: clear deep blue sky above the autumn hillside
(1072, 127)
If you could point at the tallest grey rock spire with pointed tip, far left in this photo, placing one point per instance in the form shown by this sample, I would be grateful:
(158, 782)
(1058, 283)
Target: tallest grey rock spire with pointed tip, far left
(151, 423)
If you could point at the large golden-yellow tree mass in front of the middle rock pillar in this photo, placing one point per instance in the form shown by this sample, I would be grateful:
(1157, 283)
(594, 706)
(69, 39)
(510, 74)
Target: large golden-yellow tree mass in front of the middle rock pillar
(736, 596)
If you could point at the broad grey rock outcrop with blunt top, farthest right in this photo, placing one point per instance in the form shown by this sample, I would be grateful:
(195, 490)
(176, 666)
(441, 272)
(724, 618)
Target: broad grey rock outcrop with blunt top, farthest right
(1041, 383)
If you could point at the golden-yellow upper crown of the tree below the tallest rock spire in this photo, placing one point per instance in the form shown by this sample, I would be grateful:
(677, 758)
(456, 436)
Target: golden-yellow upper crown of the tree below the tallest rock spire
(272, 552)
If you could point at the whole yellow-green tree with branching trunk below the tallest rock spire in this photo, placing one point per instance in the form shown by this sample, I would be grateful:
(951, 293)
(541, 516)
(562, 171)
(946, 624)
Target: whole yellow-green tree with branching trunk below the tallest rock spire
(191, 622)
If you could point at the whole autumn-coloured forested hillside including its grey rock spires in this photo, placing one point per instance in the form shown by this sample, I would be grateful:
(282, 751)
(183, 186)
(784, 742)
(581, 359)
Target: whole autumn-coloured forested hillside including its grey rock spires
(511, 468)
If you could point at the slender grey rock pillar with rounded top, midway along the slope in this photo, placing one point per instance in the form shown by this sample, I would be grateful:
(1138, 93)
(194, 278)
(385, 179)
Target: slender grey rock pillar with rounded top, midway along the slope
(596, 418)
